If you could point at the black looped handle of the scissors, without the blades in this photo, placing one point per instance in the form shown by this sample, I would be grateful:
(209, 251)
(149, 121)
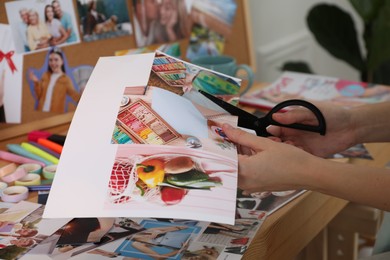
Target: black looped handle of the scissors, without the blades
(320, 128)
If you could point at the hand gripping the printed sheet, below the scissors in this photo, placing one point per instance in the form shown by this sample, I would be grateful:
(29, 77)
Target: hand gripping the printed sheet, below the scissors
(272, 166)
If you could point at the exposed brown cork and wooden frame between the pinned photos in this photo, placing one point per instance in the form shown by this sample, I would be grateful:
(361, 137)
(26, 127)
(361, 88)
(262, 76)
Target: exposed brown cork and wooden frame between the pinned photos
(237, 44)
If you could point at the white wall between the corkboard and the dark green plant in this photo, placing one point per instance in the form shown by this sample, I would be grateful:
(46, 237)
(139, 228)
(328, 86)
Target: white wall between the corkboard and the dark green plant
(280, 34)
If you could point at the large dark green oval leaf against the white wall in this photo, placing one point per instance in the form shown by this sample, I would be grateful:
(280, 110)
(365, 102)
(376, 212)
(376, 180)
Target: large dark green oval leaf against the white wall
(335, 31)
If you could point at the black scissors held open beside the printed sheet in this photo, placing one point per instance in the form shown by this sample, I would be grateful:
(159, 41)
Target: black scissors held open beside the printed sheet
(260, 124)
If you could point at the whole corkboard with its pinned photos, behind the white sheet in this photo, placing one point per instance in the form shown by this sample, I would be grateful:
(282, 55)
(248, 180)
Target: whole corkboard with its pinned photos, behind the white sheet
(46, 40)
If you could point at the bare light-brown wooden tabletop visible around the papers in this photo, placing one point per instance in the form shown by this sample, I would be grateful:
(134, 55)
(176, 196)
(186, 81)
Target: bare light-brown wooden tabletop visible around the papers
(283, 234)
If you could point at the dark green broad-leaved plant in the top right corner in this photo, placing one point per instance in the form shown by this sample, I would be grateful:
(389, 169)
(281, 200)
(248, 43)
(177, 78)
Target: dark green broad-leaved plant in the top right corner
(334, 29)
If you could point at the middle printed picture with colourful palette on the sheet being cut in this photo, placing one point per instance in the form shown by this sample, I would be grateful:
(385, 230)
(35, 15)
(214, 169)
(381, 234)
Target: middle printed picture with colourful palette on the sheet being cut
(151, 118)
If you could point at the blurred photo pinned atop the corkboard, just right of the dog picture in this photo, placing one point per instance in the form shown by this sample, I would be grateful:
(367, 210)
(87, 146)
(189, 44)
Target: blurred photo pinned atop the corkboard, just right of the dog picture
(160, 21)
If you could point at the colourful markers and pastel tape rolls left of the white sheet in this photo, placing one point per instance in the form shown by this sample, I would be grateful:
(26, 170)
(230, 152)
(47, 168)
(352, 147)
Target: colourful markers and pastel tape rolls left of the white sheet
(31, 165)
